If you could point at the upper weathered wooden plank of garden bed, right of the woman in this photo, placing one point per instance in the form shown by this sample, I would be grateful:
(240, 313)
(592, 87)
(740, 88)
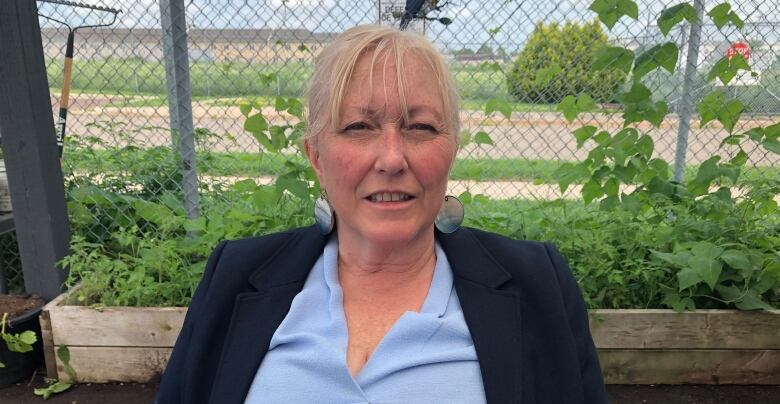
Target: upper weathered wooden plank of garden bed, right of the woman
(703, 329)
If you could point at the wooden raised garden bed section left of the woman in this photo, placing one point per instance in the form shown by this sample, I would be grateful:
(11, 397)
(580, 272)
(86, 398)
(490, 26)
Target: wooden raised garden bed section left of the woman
(128, 344)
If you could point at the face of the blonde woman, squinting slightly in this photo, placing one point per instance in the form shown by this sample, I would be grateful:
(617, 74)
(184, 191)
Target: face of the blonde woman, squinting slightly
(386, 177)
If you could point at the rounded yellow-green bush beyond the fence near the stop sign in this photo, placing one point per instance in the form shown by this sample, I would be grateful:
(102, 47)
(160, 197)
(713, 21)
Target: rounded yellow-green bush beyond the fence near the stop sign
(557, 60)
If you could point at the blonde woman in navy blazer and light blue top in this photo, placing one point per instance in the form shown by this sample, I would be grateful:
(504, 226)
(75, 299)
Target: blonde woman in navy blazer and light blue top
(385, 299)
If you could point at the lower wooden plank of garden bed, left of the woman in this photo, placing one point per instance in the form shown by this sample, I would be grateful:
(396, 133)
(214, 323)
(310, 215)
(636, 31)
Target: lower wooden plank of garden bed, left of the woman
(115, 364)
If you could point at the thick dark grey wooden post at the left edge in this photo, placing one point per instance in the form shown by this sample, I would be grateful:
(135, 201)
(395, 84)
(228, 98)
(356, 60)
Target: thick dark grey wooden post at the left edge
(30, 150)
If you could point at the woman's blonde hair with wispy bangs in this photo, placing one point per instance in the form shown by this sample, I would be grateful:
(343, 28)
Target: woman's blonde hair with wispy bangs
(335, 65)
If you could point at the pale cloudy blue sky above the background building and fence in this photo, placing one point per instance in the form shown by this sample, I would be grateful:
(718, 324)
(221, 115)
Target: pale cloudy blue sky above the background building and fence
(511, 20)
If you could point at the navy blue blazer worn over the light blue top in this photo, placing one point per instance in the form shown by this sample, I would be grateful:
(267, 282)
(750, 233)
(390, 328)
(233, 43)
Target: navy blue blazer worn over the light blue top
(520, 301)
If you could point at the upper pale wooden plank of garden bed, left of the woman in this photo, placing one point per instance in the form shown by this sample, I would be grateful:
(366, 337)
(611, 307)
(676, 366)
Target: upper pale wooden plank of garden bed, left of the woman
(116, 326)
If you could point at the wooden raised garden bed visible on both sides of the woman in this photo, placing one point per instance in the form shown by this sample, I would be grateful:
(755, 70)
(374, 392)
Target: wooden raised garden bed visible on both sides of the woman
(635, 346)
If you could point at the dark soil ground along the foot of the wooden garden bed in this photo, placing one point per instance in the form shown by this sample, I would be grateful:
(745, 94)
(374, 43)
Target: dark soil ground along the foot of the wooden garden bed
(134, 393)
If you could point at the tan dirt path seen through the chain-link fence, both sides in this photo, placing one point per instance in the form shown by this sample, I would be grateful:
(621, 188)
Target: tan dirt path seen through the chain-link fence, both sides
(531, 135)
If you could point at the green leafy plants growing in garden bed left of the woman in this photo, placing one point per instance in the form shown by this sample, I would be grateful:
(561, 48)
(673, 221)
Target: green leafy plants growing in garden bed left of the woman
(154, 255)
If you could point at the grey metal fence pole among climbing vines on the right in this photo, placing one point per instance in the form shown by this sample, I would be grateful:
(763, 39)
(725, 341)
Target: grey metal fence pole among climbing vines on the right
(686, 103)
